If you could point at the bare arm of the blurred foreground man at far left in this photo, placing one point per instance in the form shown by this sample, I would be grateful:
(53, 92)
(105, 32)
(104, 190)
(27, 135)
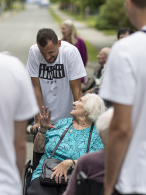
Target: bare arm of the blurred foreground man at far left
(20, 144)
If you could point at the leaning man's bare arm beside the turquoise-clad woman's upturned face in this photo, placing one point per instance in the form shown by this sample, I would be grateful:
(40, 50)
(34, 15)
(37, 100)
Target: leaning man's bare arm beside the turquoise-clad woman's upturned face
(76, 89)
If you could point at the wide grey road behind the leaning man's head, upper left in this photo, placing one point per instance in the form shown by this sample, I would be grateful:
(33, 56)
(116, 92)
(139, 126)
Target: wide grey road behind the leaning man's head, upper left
(18, 32)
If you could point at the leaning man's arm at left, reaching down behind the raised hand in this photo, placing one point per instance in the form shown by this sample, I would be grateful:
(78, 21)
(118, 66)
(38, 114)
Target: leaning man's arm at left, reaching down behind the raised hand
(38, 93)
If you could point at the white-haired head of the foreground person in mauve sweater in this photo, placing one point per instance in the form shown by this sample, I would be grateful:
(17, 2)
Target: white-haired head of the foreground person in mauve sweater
(103, 123)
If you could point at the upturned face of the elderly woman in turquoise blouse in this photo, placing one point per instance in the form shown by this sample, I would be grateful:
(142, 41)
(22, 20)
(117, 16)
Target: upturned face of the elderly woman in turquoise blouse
(79, 107)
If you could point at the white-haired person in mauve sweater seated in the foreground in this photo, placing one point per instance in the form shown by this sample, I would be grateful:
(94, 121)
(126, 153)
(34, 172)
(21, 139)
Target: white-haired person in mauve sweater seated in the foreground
(93, 164)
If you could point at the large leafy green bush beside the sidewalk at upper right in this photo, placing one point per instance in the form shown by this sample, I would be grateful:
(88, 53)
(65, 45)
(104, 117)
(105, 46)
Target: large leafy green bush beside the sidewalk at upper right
(112, 15)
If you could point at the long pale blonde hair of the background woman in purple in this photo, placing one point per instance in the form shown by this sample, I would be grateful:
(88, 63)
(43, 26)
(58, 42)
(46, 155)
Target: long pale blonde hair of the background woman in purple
(69, 24)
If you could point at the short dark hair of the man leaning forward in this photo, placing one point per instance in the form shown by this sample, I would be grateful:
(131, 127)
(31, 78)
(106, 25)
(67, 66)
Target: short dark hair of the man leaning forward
(44, 35)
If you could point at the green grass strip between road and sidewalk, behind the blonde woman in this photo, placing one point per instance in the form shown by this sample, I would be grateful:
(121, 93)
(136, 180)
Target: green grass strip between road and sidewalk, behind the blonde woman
(92, 51)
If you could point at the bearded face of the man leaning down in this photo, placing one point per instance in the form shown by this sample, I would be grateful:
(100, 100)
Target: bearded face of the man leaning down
(50, 51)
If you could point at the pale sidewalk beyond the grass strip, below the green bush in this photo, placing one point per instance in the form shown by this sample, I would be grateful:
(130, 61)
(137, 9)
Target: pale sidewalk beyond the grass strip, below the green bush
(93, 36)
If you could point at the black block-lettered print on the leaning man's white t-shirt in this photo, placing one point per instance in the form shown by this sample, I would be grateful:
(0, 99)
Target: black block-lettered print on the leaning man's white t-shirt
(50, 72)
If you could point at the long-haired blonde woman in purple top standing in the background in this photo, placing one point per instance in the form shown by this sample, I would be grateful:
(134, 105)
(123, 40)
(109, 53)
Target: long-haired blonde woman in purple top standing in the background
(69, 34)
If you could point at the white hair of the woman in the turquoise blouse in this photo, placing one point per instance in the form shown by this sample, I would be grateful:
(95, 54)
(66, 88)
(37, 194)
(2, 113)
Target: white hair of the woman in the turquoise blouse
(94, 106)
